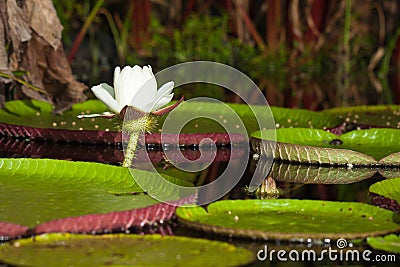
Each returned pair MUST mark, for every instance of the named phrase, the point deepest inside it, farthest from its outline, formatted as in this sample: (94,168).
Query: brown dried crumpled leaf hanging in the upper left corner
(32,30)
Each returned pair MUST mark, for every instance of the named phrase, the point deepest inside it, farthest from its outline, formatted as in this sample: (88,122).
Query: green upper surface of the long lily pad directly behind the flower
(21,112)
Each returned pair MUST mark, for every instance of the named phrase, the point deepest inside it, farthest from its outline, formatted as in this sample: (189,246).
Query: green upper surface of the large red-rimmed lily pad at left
(34,191)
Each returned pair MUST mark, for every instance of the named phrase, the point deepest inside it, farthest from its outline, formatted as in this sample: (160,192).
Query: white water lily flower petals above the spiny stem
(136,87)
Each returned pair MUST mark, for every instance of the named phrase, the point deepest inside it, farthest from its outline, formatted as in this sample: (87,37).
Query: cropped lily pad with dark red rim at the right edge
(386,194)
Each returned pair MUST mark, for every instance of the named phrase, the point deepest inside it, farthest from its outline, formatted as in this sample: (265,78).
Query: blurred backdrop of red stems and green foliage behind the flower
(281,65)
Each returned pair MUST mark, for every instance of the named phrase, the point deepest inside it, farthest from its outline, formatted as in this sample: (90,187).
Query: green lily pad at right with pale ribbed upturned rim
(376,143)
